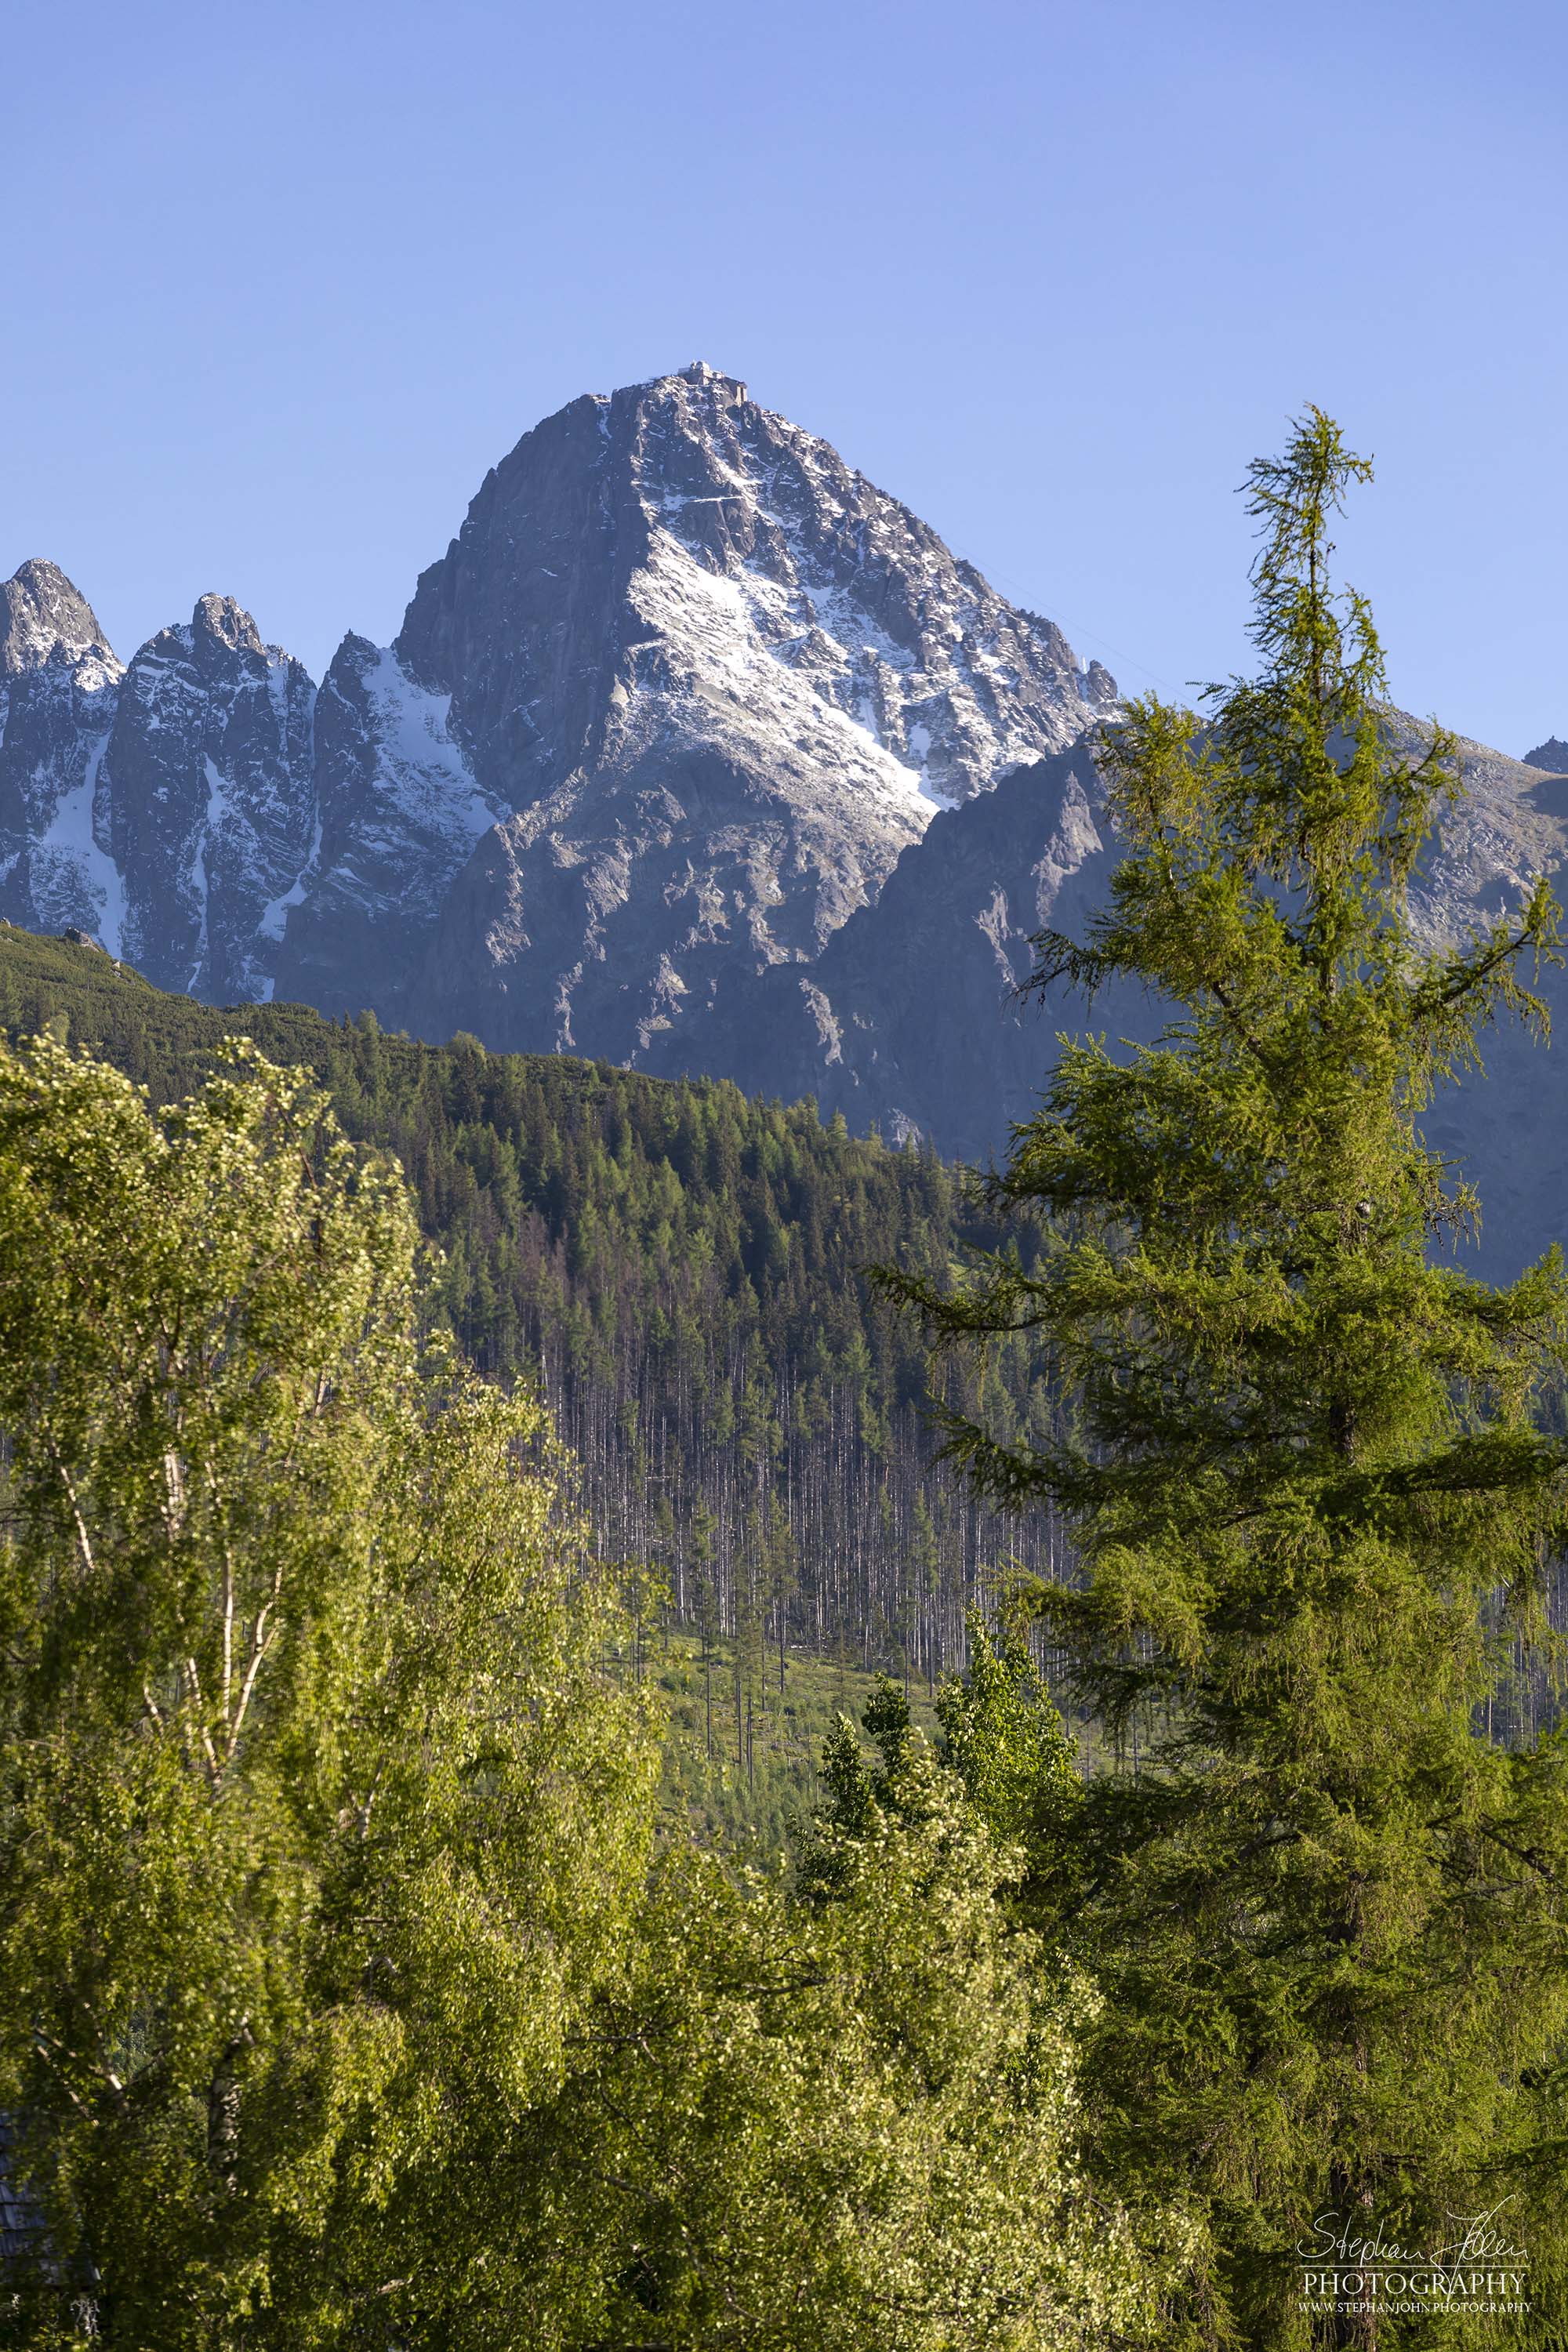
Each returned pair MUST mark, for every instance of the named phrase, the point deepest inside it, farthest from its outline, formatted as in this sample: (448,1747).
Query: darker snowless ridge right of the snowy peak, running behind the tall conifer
(911,1020)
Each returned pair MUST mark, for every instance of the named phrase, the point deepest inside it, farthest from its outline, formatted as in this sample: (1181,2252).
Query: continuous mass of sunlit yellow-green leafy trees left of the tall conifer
(347,1993)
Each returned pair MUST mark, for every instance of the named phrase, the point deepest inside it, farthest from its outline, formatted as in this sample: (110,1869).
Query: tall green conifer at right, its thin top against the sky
(1308,1488)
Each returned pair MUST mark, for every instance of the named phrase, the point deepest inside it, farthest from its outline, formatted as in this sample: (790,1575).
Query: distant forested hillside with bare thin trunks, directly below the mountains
(685,1269)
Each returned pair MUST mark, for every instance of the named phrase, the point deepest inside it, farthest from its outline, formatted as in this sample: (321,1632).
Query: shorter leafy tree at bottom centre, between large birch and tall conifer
(845,2120)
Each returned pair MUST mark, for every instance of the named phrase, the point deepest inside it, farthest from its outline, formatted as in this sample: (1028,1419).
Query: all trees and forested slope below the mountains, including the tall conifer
(1170,1942)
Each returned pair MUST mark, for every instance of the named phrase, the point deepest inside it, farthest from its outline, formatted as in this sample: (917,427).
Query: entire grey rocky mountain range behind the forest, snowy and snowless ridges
(695,751)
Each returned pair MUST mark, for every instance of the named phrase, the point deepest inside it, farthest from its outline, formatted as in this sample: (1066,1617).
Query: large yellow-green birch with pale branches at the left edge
(302,1732)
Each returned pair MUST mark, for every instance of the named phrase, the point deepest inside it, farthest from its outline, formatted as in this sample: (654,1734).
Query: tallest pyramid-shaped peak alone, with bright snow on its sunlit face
(723,683)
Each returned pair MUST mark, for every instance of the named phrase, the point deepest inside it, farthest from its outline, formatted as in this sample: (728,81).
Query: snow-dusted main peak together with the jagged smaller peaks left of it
(671,704)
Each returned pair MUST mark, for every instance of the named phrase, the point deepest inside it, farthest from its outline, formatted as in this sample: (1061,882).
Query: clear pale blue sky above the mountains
(283,281)
